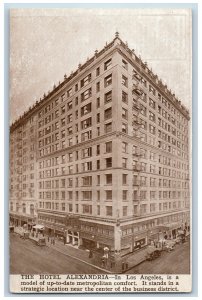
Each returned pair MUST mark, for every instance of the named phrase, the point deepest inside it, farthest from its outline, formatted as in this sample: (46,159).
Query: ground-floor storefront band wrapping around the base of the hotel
(122,237)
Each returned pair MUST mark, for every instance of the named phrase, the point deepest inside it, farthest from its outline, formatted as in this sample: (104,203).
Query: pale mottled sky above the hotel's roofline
(45,44)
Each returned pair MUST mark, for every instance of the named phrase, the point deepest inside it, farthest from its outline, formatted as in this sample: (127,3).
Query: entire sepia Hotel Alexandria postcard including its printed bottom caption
(100,150)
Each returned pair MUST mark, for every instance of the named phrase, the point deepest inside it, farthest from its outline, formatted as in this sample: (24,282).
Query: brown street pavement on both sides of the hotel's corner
(28,258)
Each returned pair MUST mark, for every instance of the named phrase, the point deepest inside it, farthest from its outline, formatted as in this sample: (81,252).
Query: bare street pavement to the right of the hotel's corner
(174,262)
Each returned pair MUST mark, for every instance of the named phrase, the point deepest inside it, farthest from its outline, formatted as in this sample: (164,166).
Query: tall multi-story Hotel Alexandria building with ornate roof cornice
(104,157)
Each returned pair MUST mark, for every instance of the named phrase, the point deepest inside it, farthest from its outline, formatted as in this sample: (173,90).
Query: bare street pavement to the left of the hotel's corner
(28,258)
